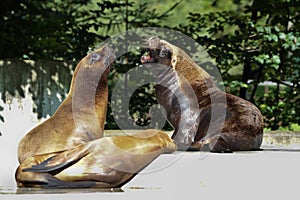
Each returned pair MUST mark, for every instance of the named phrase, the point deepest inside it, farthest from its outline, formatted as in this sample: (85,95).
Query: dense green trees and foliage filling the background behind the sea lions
(261,38)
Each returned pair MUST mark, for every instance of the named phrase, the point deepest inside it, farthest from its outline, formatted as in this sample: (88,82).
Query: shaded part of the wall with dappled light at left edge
(44,80)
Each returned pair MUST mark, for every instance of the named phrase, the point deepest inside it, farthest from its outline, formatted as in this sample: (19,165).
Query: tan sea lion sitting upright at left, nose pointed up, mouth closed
(81,116)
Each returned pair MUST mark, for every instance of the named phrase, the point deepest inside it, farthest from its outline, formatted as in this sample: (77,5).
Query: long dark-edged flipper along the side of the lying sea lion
(59,161)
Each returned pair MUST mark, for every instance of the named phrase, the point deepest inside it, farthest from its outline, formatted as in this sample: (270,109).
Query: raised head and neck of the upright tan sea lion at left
(90,93)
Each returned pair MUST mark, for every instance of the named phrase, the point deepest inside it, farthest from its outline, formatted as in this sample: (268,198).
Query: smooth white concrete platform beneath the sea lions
(264,174)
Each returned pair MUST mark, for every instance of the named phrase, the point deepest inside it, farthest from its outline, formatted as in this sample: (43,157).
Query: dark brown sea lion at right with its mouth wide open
(214,120)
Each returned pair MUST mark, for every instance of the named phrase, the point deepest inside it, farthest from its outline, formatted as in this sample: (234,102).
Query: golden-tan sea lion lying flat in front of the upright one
(102,163)
